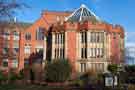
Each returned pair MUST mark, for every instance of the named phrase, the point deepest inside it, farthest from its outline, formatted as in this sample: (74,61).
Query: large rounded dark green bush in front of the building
(58,71)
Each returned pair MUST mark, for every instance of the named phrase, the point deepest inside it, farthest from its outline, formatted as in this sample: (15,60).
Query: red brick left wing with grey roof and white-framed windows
(10,45)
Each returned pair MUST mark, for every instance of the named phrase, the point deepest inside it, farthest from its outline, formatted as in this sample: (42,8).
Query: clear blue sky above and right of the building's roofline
(113,11)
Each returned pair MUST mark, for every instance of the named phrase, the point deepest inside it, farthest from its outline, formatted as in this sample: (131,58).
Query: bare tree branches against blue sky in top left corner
(8,8)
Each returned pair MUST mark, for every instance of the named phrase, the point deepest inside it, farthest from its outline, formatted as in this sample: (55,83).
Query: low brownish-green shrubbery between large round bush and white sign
(89,78)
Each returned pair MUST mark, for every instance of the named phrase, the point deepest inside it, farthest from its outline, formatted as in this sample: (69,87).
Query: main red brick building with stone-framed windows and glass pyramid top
(79,36)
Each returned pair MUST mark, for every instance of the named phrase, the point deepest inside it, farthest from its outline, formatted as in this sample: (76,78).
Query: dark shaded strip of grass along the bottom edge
(39,87)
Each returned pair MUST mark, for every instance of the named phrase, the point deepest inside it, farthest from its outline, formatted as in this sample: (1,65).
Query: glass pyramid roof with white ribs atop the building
(82,14)
